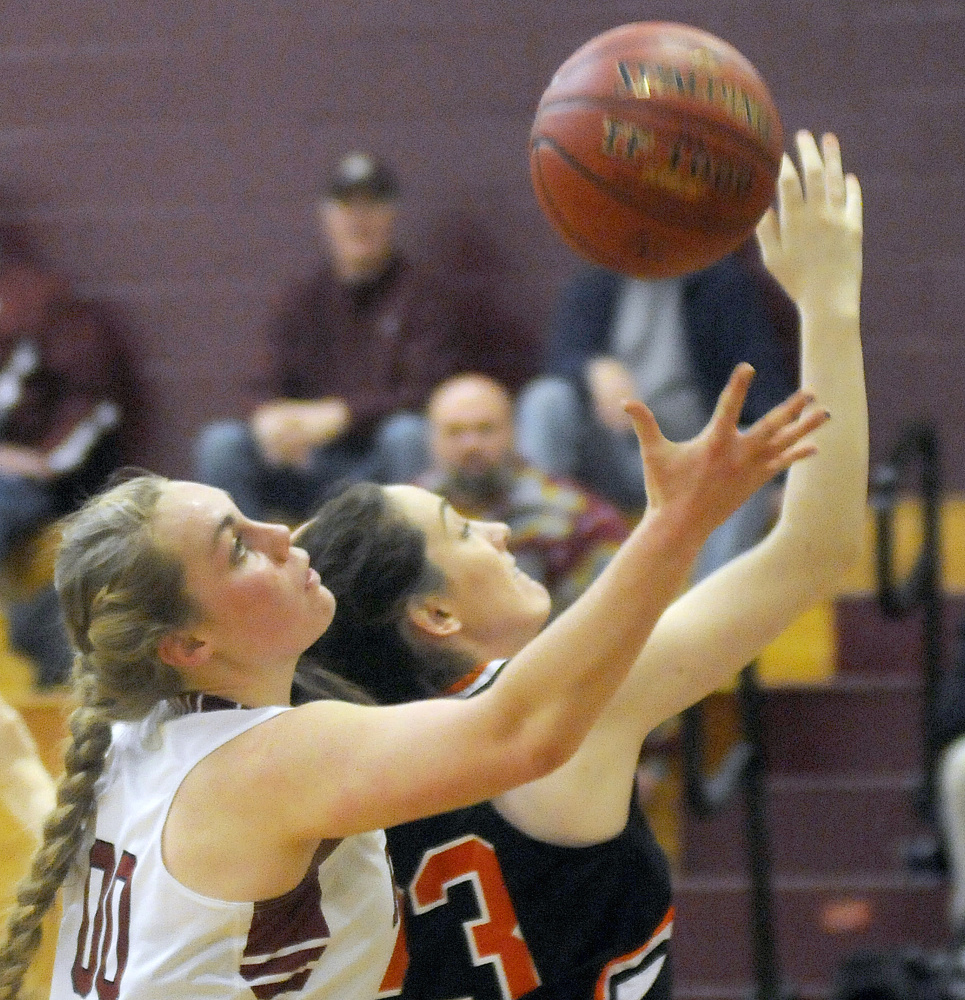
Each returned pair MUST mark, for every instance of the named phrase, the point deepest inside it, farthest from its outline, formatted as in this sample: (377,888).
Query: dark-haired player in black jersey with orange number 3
(557,889)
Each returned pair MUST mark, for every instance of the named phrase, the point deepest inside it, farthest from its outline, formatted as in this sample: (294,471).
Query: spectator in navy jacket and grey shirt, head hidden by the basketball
(672,343)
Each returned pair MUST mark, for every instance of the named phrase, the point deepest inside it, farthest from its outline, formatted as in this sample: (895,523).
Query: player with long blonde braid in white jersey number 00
(168,589)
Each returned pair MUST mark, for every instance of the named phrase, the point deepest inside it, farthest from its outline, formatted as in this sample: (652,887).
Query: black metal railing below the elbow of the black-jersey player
(742,770)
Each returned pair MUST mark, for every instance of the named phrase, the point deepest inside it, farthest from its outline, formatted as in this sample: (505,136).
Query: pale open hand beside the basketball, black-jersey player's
(811,242)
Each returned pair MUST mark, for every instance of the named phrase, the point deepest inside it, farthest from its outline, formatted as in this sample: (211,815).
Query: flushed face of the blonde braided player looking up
(260,601)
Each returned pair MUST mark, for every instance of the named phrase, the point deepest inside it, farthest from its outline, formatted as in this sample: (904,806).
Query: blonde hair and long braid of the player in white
(120,595)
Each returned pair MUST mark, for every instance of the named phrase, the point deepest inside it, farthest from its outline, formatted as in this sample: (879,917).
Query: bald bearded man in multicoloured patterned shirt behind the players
(561,535)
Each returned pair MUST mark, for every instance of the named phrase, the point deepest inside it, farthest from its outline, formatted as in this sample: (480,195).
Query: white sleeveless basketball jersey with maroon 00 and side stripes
(130,931)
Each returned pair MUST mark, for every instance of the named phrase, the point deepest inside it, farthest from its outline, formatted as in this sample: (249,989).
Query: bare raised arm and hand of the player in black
(812,244)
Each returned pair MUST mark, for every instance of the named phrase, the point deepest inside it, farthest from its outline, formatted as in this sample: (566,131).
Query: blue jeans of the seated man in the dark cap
(226,455)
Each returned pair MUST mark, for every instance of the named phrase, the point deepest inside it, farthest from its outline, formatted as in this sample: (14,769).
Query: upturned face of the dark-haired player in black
(499,607)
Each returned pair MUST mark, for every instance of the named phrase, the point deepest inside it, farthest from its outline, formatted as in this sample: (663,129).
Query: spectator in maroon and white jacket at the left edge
(69,416)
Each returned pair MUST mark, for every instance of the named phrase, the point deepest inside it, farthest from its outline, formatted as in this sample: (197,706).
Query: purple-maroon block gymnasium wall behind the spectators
(168,154)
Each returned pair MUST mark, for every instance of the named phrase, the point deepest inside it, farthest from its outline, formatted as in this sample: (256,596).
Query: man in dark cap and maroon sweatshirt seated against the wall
(356,351)
